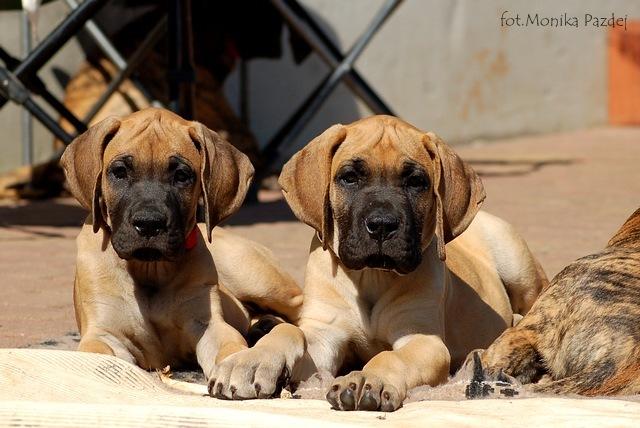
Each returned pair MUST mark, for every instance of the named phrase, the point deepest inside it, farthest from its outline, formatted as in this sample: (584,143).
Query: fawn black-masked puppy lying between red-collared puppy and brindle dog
(389,204)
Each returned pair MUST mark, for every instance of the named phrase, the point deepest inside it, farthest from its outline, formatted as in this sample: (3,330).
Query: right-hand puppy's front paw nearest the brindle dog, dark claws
(360,390)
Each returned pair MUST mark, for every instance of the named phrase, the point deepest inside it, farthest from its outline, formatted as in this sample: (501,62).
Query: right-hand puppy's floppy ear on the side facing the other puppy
(305,180)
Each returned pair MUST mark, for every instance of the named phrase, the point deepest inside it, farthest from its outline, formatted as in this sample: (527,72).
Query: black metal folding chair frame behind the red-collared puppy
(15,84)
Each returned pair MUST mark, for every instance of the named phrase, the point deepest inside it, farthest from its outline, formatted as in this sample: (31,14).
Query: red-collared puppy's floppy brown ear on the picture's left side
(82,164)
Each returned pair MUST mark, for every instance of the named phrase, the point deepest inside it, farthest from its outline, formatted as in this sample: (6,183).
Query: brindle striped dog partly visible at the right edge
(582,335)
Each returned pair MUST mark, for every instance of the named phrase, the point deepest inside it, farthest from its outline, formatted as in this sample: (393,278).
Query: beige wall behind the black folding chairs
(444,65)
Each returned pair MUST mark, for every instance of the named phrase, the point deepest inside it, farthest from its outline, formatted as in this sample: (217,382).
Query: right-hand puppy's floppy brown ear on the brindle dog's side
(458,192)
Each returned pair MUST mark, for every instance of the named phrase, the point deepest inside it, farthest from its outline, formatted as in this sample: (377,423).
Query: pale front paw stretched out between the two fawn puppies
(248,374)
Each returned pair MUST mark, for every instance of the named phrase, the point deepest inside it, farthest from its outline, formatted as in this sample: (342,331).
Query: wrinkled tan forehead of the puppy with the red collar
(153,140)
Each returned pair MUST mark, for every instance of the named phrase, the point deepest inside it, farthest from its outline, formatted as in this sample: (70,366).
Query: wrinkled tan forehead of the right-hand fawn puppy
(383,146)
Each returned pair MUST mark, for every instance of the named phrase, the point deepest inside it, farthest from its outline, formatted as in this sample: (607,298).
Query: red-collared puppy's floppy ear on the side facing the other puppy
(225,175)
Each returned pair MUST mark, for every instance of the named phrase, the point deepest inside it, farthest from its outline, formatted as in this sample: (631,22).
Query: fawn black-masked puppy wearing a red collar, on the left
(148,288)
